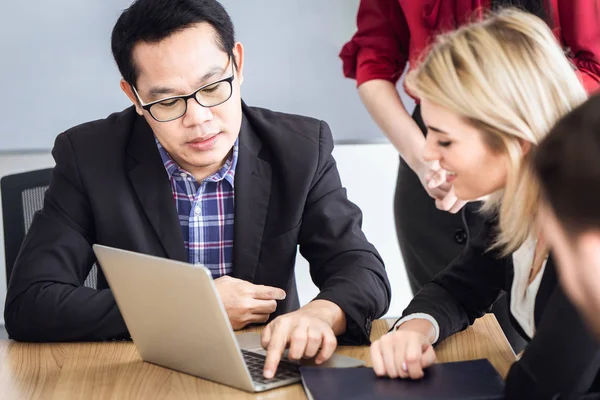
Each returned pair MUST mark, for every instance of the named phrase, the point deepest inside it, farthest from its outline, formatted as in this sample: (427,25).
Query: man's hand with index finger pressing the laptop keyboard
(311,331)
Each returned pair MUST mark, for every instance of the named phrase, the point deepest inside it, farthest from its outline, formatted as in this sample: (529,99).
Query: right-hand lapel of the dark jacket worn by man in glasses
(252,191)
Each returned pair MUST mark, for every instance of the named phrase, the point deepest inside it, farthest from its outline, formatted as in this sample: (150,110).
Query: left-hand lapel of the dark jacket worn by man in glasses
(151,184)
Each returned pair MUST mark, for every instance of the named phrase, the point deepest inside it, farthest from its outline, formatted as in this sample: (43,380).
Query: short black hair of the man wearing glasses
(154,20)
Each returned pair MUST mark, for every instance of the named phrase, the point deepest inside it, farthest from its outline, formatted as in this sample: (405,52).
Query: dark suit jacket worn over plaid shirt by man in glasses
(109,186)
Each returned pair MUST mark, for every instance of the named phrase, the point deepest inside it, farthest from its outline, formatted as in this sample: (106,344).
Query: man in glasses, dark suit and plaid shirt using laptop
(191,173)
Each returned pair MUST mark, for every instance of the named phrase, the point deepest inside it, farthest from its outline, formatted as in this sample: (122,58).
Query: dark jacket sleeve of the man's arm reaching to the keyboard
(343,264)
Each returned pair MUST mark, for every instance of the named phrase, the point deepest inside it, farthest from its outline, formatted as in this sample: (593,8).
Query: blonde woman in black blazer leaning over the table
(489,93)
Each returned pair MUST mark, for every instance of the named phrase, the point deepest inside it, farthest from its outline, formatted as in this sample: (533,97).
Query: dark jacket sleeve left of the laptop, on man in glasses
(46,299)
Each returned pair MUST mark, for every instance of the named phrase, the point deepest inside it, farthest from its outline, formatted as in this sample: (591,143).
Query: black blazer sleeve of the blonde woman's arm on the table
(465,290)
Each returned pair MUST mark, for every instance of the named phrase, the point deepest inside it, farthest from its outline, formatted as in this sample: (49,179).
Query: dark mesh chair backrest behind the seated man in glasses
(22,196)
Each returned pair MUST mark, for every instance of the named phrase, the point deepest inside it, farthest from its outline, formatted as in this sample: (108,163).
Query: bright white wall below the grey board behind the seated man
(367,171)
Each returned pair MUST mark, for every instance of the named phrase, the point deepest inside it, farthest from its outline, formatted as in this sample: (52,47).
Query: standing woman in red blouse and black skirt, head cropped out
(392,33)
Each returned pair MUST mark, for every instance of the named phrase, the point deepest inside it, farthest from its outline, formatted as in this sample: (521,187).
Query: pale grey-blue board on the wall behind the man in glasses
(57,71)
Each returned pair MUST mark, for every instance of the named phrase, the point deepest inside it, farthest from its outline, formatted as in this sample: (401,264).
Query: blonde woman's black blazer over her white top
(561,361)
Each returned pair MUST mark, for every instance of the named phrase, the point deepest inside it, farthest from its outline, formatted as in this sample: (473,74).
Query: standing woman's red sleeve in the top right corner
(580,31)
